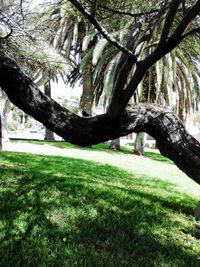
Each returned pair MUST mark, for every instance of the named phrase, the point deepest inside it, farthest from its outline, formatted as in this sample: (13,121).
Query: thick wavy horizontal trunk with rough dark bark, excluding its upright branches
(169,132)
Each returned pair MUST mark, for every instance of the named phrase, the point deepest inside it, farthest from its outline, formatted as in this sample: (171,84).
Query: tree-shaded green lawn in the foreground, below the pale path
(56,211)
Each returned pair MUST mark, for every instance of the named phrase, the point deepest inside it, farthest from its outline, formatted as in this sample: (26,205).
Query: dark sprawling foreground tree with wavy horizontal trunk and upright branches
(179,20)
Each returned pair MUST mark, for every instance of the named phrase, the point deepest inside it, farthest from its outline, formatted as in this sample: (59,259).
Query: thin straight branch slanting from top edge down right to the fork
(104,33)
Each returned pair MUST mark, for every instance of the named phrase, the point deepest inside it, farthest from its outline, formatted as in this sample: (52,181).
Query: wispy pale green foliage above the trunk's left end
(26,43)
